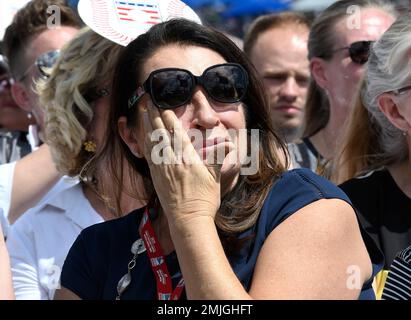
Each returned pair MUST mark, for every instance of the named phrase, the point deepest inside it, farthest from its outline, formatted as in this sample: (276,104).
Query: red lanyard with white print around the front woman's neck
(157,261)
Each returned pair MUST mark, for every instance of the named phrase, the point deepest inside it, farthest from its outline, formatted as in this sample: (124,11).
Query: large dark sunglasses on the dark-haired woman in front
(172,87)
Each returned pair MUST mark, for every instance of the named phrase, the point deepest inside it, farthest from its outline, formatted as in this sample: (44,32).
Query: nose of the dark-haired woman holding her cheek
(204,115)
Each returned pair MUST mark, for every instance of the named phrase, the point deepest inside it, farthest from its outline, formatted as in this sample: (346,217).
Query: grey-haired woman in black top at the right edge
(375,154)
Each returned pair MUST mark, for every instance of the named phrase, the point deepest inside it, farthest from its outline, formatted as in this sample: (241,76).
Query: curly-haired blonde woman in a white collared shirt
(75,97)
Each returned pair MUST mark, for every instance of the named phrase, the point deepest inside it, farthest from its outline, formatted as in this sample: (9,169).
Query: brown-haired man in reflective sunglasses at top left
(32,47)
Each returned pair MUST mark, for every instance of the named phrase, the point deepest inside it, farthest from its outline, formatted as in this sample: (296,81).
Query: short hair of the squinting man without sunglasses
(272,21)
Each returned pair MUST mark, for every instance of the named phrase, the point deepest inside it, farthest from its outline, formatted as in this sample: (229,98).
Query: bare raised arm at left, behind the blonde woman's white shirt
(33,176)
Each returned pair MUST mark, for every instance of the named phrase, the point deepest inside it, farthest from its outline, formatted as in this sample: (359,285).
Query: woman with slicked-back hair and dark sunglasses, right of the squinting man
(338,47)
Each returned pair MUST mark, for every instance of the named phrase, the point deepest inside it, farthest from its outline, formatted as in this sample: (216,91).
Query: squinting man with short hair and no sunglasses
(277,46)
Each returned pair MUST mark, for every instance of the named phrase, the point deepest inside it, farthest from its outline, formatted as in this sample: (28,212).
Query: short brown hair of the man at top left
(28,22)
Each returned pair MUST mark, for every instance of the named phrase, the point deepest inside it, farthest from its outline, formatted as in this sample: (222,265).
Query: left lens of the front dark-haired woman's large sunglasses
(172,88)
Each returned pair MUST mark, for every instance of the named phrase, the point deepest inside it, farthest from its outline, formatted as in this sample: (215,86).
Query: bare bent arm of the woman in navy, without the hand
(311,255)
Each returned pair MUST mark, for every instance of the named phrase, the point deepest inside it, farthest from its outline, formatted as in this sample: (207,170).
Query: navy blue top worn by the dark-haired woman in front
(101,253)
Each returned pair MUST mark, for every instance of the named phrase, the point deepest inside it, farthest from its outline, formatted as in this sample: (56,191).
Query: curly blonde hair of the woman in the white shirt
(84,67)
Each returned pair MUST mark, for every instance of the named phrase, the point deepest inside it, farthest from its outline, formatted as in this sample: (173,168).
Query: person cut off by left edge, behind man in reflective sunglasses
(14,122)
